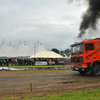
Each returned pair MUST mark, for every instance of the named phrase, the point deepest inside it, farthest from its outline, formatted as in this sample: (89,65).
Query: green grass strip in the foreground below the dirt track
(84,95)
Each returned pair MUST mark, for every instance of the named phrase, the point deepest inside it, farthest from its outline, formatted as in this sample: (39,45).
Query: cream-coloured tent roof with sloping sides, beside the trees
(46,54)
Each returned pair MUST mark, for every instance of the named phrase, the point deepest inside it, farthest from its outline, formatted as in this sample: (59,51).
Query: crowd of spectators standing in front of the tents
(24,61)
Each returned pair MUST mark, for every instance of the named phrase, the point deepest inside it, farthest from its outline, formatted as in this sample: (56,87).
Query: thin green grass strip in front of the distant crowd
(37,66)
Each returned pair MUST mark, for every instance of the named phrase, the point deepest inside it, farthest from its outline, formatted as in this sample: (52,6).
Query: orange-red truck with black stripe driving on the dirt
(85,56)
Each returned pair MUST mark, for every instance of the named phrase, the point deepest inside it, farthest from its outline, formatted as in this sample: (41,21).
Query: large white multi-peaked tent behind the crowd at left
(20,50)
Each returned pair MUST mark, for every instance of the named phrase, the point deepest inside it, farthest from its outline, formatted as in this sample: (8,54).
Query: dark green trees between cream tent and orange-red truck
(64,53)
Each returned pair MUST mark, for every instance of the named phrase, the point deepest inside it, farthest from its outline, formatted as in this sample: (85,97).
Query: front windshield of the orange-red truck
(77,49)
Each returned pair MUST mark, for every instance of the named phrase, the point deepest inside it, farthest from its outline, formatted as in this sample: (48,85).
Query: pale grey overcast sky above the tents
(55,23)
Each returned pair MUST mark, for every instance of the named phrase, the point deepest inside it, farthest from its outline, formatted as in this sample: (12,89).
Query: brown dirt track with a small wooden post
(44,82)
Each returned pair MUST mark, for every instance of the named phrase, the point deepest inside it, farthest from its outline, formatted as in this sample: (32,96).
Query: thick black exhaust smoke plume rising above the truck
(90,17)
